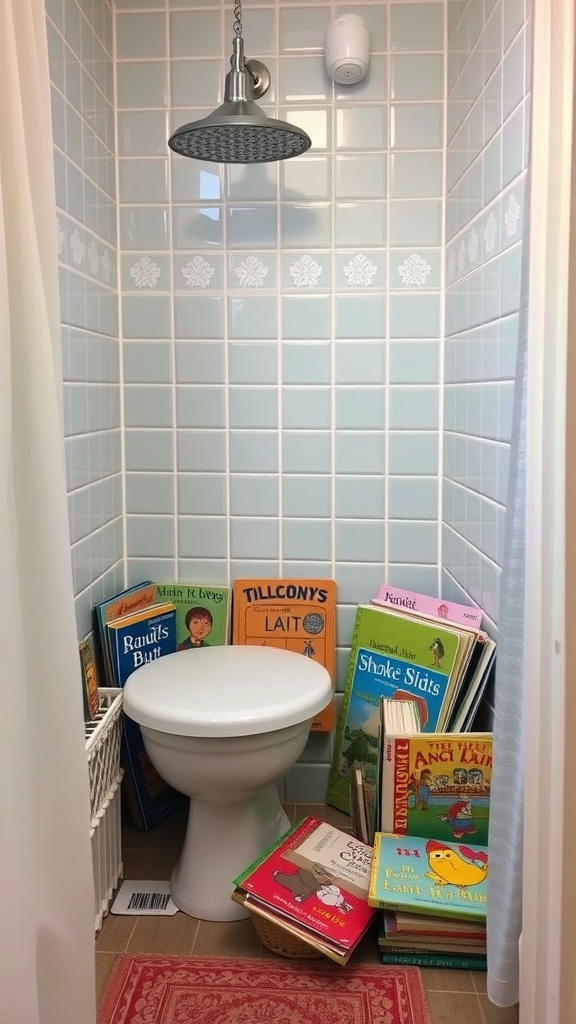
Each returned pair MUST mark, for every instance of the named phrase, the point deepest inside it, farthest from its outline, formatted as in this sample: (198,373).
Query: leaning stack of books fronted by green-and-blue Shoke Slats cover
(406,648)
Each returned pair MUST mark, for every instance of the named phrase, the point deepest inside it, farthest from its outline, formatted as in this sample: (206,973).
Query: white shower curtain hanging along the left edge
(47,920)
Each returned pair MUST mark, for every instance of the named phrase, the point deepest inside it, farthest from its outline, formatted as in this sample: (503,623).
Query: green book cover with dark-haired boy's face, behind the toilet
(203,613)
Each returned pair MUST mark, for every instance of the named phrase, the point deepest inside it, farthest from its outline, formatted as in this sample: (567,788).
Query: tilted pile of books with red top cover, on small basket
(314,883)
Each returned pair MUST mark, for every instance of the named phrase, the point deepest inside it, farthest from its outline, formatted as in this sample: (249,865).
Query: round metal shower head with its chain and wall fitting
(239,132)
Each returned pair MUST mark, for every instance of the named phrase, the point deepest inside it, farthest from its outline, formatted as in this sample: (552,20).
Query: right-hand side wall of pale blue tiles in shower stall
(487,156)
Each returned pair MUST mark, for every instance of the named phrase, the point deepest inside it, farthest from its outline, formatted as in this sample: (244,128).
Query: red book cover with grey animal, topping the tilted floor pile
(309,898)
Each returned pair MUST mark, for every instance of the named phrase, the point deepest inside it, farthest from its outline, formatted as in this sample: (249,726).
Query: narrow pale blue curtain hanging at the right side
(507,820)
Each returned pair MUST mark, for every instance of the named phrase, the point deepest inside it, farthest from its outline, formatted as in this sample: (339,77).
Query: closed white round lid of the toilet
(227,692)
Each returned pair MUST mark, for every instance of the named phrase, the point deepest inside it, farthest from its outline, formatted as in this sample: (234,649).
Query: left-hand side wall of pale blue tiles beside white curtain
(80,50)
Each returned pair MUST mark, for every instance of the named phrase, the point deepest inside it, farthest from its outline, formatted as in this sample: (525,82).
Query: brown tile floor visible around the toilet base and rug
(455,997)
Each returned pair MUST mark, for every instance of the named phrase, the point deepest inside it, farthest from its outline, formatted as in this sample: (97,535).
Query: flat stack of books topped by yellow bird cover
(432,899)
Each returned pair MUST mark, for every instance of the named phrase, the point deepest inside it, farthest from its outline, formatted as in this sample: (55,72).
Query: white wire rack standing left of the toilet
(103,751)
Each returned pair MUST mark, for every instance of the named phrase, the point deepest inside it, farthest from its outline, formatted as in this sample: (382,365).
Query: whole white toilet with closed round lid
(223,726)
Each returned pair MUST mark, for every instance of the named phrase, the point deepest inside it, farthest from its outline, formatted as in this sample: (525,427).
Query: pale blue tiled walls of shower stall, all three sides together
(287,402)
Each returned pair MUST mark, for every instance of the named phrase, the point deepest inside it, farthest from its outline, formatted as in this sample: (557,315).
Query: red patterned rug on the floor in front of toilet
(152,990)
